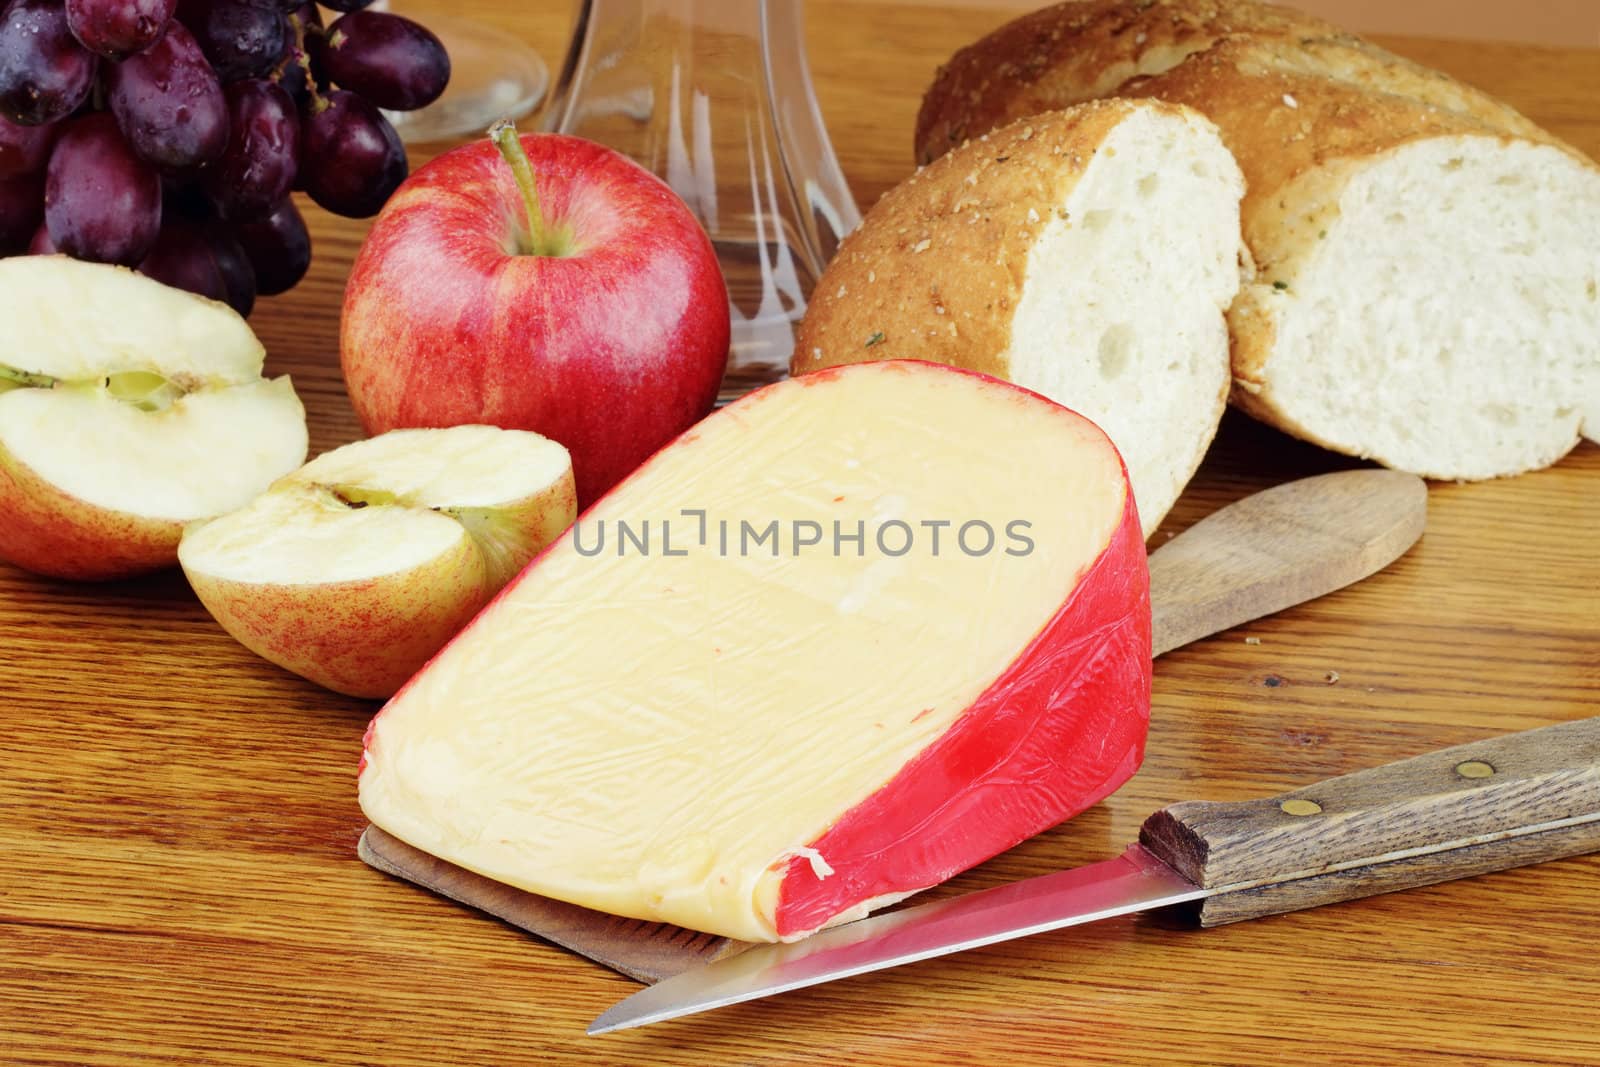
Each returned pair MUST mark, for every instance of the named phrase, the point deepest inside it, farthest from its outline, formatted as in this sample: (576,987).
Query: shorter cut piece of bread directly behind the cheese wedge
(1087,255)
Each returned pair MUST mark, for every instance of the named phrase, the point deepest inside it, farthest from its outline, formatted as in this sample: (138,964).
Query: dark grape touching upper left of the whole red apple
(351,156)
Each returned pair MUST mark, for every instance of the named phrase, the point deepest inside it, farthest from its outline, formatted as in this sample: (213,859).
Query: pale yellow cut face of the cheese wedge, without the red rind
(650,735)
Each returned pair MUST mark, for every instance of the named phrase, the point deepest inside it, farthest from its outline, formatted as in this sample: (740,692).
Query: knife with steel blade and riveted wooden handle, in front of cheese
(1455,813)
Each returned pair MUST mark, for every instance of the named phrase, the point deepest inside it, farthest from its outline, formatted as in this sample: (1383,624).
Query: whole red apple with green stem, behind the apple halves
(543,284)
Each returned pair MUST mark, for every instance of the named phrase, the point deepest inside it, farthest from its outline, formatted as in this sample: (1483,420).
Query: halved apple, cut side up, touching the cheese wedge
(354,570)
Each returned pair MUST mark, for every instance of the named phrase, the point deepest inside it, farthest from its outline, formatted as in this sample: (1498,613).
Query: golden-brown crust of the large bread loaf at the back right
(1302,105)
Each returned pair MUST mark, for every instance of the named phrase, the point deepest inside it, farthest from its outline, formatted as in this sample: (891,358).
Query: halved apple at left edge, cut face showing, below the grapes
(127,410)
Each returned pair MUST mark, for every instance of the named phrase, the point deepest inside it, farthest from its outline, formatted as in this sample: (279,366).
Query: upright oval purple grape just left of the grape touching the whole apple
(258,166)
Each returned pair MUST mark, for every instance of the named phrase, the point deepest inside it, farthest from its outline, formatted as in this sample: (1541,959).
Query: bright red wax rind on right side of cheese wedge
(1062,730)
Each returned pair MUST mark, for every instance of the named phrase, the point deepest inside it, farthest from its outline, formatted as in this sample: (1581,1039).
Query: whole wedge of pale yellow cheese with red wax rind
(839,642)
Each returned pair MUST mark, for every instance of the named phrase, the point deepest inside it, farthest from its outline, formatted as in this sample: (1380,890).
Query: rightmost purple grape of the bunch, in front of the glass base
(386,58)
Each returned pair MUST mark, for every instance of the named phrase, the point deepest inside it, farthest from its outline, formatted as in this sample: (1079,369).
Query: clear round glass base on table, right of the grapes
(492,76)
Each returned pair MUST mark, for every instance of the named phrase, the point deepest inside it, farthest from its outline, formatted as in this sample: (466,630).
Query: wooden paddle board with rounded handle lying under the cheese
(1263,554)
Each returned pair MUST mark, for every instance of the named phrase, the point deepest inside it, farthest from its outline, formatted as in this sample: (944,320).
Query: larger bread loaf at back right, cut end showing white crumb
(1428,258)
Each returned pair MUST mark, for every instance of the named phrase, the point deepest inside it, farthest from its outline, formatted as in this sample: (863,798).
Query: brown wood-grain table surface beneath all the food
(178,820)
